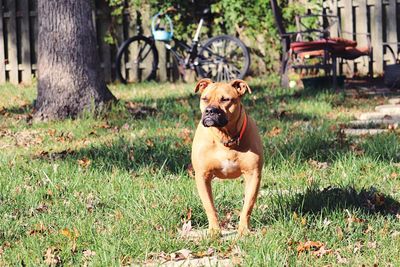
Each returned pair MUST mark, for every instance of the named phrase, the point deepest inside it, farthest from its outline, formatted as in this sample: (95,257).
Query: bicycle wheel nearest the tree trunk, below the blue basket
(137,60)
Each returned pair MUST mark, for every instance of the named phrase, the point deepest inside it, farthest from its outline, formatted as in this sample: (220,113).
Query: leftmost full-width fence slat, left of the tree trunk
(12,43)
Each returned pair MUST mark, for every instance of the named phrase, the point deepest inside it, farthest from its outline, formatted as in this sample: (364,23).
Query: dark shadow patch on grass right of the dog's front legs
(327,201)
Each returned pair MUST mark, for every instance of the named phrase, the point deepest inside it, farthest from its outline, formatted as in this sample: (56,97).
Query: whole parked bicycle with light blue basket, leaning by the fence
(219,58)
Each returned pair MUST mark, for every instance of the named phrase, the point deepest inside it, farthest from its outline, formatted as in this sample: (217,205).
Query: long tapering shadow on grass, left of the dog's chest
(156,154)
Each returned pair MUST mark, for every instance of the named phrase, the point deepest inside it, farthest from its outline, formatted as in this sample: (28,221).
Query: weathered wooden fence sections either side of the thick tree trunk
(18,41)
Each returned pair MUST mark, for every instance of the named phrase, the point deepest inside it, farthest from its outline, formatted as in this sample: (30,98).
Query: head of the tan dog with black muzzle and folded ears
(220,102)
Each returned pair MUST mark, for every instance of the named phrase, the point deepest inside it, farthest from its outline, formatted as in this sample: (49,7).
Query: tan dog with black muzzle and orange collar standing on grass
(226,145)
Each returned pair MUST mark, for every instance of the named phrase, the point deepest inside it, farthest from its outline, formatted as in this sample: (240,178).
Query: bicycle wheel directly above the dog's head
(223,58)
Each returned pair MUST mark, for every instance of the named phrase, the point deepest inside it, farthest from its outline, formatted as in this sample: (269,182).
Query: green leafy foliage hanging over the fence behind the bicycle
(252,21)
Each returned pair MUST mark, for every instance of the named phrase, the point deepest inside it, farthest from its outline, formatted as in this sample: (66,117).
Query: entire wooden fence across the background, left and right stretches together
(18,36)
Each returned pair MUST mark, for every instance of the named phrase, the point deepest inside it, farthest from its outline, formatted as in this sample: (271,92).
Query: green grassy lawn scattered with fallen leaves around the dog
(116,190)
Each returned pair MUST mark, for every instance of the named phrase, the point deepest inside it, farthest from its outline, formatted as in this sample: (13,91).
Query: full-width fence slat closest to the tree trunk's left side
(25,43)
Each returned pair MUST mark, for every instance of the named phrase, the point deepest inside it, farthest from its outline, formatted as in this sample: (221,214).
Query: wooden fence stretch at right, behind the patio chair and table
(380,19)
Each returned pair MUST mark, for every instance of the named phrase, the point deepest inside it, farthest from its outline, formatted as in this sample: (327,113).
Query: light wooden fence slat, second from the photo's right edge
(376,36)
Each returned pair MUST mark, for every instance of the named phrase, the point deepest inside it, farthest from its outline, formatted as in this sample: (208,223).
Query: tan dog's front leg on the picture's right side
(252,185)
